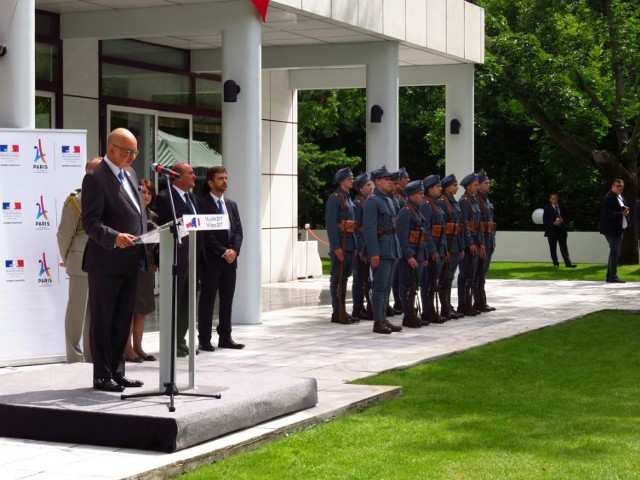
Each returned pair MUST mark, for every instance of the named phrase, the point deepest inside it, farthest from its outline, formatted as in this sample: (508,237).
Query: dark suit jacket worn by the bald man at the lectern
(108,210)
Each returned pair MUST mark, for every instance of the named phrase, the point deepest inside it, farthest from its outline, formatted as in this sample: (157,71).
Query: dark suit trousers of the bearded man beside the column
(216,277)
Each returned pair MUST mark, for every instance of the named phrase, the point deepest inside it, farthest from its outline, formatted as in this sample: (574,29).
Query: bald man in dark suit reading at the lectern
(112,216)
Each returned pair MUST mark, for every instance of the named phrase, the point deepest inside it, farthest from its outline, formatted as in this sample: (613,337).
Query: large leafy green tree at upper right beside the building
(573,68)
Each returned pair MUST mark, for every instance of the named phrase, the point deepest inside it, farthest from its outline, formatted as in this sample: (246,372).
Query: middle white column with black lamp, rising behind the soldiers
(382,90)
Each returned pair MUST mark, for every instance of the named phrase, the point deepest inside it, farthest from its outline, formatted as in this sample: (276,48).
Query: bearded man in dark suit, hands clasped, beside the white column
(218,272)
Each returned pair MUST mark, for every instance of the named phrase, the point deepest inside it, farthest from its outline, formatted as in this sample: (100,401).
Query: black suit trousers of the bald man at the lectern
(112,300)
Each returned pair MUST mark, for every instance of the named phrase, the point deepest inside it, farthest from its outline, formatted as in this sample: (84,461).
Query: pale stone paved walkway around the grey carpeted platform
(296,338)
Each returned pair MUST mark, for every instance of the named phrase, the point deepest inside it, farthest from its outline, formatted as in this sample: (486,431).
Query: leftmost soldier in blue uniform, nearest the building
(341,230)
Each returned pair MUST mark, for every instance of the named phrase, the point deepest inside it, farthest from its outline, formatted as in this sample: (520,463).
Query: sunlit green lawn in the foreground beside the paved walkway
(559,403)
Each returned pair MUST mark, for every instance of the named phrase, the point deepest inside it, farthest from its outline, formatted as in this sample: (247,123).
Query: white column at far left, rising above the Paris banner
(18,66)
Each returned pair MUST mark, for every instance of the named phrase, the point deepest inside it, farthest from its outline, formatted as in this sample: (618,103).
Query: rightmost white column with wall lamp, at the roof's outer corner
(459,105)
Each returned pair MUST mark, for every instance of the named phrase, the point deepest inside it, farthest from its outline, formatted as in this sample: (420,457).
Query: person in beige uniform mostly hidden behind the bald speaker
(71,242)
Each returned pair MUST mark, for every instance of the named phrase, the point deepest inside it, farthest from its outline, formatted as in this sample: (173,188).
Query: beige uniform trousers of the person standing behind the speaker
(77,320)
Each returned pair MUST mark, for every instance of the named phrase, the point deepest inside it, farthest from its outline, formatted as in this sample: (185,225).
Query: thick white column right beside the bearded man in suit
(241,150)
